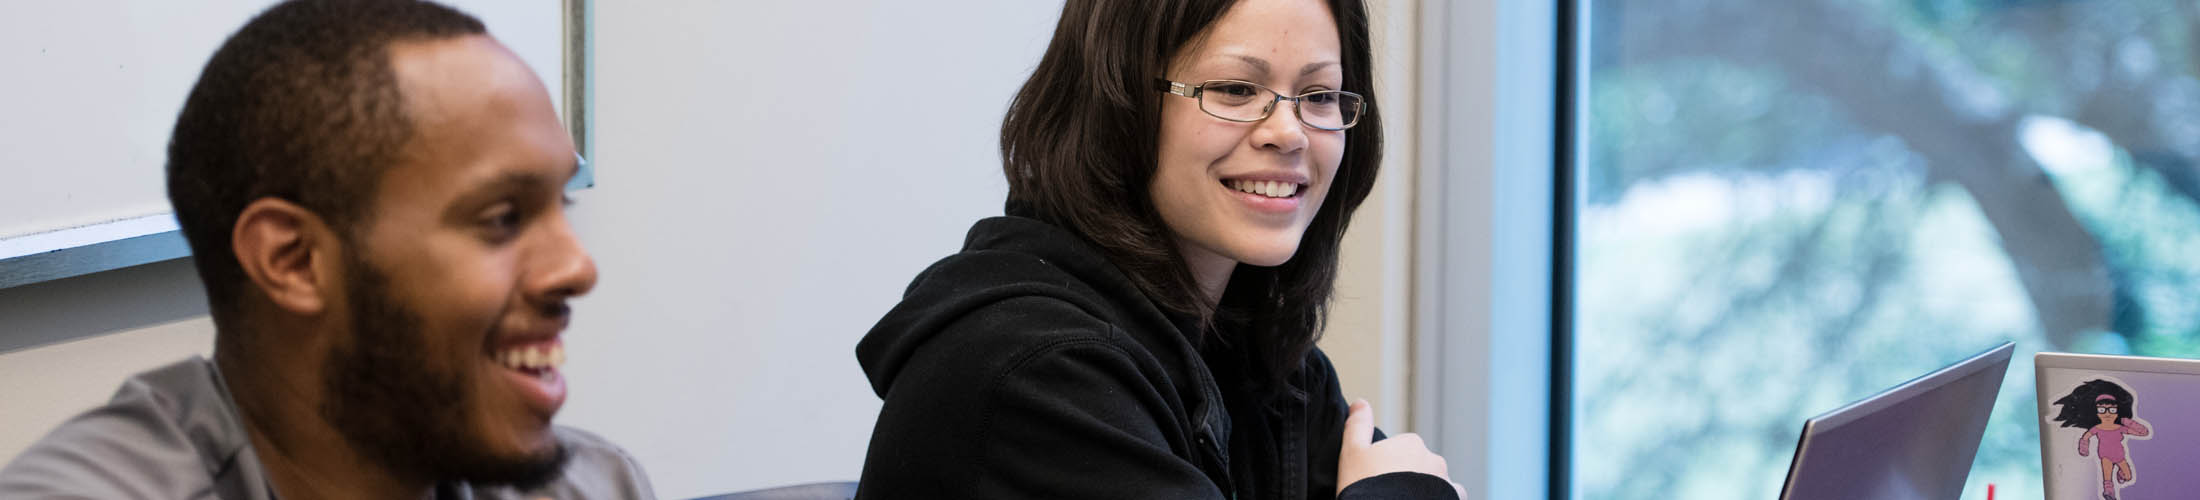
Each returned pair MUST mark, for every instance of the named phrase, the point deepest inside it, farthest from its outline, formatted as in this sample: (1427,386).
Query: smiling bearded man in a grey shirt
(375,199)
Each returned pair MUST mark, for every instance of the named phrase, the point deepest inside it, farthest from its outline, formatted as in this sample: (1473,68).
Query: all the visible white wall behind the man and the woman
(769,177)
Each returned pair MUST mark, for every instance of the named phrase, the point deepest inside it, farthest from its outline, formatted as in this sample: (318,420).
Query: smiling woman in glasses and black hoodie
(1143,320)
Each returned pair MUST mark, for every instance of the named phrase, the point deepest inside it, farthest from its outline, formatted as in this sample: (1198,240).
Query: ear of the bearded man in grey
(289,254)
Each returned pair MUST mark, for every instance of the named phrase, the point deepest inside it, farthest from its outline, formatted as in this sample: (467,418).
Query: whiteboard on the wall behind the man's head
(93,89)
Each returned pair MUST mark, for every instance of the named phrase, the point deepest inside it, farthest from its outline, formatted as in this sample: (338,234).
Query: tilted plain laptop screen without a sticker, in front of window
(1911,442)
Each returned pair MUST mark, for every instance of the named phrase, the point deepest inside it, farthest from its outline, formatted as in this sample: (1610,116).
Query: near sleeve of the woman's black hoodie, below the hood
(1050,409)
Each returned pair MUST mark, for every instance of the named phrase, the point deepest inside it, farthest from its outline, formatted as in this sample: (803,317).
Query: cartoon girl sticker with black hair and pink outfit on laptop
(2104,409)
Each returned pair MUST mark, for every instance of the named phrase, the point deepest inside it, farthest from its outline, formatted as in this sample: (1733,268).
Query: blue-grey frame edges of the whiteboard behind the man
(153,239)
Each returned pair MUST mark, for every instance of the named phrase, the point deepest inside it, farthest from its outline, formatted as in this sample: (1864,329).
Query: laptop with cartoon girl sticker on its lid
(2117,426)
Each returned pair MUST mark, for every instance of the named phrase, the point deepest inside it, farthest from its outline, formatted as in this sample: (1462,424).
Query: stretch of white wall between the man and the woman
(769,180)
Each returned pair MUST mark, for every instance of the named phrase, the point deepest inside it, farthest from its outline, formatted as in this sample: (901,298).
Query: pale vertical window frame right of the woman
(1490,316)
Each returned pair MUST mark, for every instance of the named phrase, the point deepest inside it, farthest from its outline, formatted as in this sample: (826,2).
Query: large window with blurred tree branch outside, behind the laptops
(1790,206)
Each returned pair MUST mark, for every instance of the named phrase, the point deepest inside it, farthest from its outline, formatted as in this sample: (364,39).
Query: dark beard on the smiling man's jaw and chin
(388,402)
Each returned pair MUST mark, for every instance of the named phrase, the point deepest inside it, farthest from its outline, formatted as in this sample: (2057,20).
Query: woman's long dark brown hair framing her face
(1081,149)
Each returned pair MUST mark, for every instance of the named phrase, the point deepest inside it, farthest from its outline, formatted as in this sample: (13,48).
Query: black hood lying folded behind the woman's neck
(1011,257)
